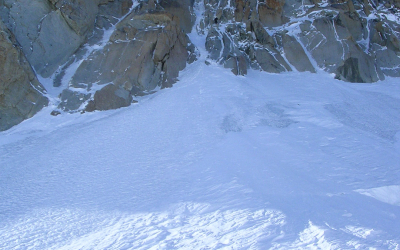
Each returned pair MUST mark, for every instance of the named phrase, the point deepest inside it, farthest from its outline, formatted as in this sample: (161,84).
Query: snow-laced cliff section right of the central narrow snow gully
(358,41)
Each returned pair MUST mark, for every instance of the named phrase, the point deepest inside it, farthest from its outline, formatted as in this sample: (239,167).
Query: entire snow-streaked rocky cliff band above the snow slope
(103,53)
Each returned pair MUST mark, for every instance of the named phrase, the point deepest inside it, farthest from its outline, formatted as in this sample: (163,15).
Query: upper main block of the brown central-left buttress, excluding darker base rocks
(139,50)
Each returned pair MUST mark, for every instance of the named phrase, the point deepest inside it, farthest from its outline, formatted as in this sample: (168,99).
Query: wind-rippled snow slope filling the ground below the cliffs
(289,161)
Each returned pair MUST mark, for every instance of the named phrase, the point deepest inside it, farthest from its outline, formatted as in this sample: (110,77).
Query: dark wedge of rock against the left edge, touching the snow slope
(21,95)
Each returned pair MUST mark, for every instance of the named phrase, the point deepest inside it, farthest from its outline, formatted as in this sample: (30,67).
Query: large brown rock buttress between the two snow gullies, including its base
(147,50)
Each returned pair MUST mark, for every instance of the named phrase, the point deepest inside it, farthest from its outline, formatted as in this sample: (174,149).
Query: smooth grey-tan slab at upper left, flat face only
(46,38)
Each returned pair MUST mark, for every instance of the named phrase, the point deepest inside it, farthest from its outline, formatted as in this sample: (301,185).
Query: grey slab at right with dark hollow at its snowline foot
(333,48)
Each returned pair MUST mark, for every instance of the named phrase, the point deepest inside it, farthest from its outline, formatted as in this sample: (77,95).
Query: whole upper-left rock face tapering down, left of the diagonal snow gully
(50,31)
